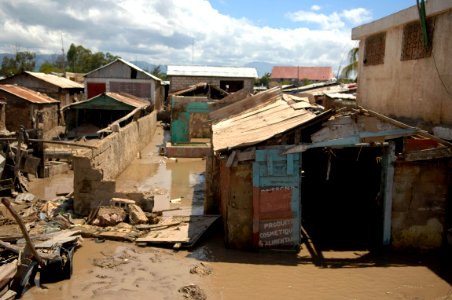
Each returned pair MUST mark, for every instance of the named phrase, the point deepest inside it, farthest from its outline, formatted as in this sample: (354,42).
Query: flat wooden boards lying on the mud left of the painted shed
(186,233)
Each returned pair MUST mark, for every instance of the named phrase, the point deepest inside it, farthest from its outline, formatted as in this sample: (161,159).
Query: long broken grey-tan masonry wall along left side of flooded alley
(95,170)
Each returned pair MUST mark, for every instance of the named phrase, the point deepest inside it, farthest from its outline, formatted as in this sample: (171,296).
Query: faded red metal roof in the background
(310,73)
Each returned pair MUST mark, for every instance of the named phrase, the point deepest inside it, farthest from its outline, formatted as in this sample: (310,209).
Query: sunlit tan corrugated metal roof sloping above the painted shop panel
(258,124)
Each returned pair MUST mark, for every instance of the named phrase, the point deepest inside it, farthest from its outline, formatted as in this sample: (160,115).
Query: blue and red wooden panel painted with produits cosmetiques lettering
(276,199)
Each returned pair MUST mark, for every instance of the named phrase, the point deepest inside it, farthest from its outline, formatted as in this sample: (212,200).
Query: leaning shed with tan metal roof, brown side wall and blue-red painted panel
(257,186)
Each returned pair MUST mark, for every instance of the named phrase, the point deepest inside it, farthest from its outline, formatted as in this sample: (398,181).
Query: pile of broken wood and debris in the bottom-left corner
(22,257)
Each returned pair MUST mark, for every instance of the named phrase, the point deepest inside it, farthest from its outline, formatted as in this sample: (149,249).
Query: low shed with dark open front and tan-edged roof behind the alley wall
(86,118)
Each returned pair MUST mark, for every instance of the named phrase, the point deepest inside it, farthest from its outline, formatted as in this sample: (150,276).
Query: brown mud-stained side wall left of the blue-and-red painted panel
(236,186)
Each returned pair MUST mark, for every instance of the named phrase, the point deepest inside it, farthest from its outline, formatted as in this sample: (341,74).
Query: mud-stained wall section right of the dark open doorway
(420,196)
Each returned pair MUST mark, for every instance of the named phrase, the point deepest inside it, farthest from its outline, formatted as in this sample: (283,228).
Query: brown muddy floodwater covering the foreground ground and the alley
(115,270)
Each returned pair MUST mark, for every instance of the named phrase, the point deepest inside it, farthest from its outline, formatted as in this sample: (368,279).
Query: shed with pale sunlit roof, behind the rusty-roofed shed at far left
(60,88)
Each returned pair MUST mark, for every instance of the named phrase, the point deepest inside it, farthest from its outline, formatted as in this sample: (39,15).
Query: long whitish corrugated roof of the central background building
(239,72)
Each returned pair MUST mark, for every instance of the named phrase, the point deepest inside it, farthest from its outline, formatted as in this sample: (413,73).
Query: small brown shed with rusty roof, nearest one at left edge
(25,107)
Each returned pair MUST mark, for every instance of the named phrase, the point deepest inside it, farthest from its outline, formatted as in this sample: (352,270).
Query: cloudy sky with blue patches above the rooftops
(201,32)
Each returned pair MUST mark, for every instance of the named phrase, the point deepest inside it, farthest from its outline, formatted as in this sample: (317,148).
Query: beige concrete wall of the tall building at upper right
(415,88)
